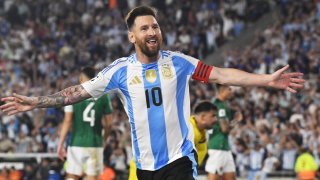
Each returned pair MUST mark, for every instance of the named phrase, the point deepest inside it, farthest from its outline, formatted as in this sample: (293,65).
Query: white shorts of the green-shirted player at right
(220,162)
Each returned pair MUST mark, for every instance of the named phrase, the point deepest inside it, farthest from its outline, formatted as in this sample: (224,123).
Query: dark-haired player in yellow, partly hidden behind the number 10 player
(204,117)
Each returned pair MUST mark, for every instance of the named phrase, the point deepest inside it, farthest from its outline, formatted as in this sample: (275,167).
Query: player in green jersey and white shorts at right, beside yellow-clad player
(220,161)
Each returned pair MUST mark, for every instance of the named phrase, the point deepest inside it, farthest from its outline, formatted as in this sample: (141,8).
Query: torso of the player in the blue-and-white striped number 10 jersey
(154,96)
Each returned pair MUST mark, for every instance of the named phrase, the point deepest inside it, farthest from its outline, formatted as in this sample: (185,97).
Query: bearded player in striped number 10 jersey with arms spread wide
(153,86)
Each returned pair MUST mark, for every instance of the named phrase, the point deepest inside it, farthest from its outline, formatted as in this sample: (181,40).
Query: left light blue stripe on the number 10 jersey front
(121,76)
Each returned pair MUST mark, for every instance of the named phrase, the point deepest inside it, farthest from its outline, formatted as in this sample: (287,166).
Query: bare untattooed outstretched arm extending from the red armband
(280,80)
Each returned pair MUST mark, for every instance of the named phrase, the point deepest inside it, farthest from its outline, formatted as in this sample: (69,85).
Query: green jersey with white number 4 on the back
(87,121)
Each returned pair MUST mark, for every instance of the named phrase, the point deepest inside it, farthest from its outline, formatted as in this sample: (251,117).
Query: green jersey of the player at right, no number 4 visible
(217,139)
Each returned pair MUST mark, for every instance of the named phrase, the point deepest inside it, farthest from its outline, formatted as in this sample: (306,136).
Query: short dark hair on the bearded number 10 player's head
(139,11)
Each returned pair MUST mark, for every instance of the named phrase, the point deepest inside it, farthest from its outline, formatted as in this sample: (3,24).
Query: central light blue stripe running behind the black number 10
(156,119)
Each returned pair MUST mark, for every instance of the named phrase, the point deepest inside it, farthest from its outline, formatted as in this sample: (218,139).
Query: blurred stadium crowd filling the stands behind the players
(44,43)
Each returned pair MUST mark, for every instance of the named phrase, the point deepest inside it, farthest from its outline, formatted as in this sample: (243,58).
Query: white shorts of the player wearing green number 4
(88,160)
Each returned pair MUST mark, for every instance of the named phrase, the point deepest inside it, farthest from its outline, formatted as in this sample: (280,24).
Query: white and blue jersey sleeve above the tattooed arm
(106,79)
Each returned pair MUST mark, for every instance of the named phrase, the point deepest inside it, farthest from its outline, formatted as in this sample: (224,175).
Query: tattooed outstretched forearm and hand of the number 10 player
(18,103)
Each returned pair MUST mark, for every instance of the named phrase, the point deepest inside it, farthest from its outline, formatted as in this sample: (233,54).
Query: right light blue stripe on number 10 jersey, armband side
(183,69)
